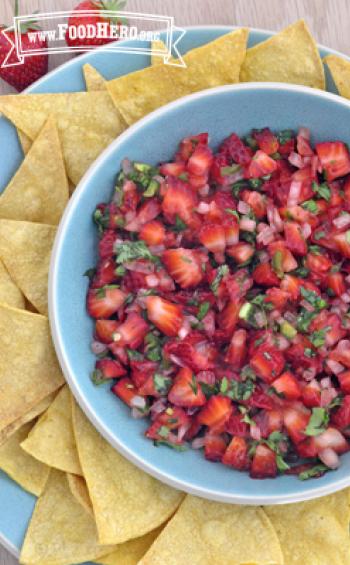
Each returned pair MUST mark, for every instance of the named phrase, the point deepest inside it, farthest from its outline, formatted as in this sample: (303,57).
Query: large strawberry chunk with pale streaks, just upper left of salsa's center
(184,266)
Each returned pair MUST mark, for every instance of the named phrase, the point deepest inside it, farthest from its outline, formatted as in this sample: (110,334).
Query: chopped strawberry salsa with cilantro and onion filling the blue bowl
(221,300)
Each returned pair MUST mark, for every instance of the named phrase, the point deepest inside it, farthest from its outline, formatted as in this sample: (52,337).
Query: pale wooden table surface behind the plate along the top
(328,20)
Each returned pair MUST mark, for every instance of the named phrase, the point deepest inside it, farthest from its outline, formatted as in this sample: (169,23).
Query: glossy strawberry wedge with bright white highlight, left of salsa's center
(165,315)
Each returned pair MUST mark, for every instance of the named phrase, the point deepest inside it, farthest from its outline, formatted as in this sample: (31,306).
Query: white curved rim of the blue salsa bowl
(132,456)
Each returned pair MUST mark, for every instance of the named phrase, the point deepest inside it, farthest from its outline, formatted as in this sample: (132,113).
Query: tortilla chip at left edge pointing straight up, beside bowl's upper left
(39,190)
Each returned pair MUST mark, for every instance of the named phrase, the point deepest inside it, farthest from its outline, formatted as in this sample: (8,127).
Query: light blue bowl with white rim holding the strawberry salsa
(219,111)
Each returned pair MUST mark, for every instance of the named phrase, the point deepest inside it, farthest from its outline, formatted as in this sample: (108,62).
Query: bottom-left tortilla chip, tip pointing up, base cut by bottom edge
(60,531)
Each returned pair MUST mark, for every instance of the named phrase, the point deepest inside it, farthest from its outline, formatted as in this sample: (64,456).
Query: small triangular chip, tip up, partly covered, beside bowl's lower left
(51,441)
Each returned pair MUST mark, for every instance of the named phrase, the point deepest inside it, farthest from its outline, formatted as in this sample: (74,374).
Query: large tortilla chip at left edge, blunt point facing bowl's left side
(29,370)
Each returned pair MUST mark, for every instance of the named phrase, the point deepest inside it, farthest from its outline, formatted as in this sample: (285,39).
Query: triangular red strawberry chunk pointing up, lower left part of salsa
(186,391)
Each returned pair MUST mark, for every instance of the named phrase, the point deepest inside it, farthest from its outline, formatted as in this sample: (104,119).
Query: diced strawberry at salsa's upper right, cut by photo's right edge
(334,158)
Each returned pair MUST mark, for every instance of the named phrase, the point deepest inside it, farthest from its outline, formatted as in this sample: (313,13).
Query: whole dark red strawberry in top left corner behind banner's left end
(33,66)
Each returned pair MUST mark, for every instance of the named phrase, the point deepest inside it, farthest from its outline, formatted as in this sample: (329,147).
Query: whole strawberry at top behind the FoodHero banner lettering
(77,21)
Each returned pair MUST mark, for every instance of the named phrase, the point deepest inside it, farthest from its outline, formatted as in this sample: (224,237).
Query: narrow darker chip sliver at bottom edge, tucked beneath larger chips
(130,552)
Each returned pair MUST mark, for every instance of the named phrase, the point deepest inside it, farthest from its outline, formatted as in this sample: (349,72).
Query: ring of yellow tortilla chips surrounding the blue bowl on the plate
(92,503)
